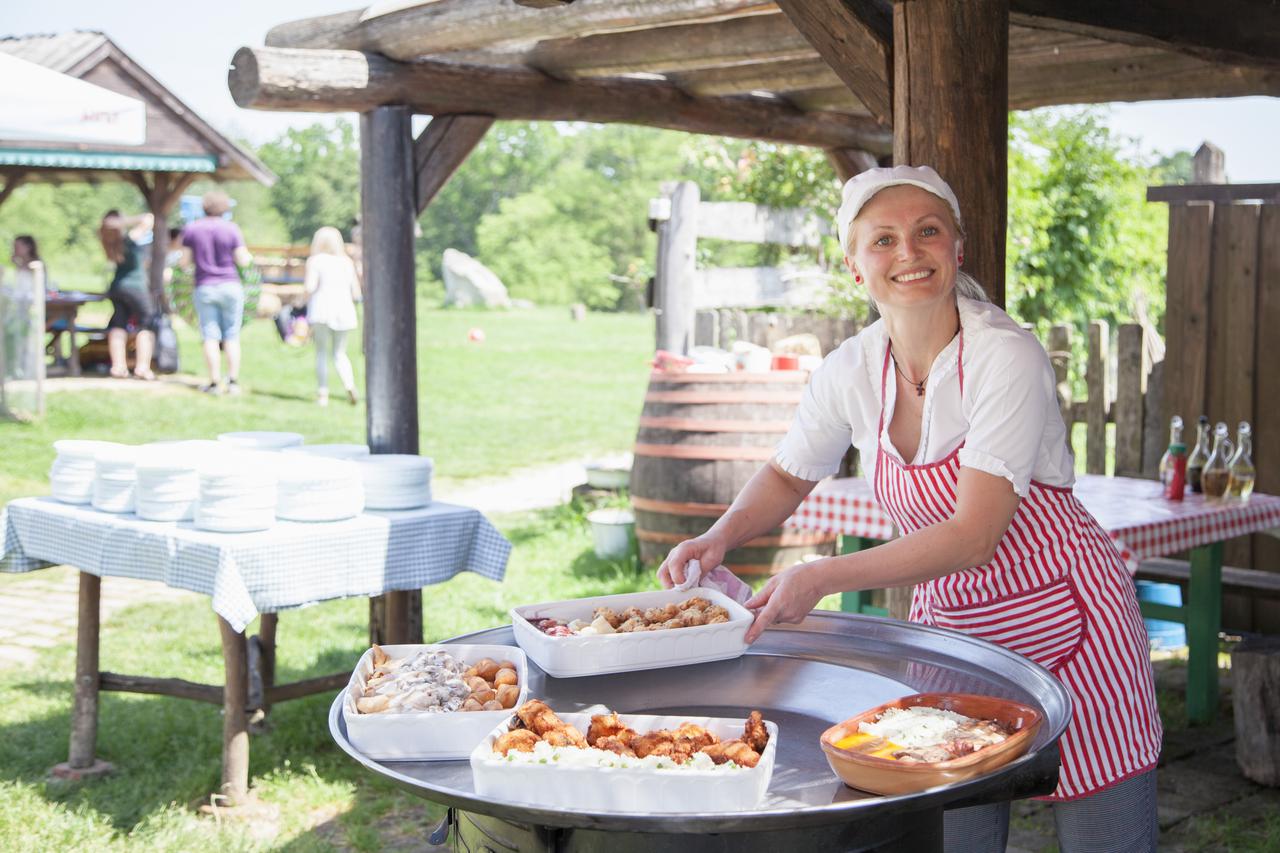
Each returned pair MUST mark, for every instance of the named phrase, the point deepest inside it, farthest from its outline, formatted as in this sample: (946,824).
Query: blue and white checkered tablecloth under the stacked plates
(246,574)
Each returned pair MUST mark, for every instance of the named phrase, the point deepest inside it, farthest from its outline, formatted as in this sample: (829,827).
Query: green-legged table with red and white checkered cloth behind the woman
(1141,524)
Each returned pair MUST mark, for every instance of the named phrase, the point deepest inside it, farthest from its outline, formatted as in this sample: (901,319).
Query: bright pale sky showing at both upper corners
(189,47)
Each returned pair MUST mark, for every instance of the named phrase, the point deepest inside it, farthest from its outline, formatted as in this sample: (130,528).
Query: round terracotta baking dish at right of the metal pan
(892,777)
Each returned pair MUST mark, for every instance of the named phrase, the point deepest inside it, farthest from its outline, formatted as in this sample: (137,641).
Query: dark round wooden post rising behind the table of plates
(388,213)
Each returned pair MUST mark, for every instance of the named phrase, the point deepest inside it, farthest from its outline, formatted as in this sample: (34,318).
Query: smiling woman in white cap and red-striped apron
(953,409)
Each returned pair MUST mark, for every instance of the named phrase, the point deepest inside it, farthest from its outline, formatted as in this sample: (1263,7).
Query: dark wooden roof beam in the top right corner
(1236,33)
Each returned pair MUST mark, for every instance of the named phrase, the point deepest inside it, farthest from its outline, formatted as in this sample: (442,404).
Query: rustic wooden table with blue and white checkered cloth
(245,576)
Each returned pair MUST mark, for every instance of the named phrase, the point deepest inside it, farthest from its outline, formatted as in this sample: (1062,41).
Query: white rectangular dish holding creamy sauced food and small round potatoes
(427,737)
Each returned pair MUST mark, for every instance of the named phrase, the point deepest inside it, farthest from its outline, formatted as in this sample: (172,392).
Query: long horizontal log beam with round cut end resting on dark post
(336,81)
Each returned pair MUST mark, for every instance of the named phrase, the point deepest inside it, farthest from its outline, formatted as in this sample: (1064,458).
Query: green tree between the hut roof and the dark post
(319,179)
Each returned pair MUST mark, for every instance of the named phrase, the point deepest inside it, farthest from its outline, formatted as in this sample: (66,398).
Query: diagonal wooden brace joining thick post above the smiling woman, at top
(856,38)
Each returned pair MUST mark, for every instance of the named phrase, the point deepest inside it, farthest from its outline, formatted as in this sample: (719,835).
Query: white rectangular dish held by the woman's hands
(596,655)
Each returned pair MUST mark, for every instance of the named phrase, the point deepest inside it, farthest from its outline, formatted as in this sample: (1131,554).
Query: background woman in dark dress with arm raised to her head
(130,294)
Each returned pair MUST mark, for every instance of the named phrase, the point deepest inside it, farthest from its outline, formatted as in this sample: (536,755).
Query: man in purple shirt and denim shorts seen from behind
(217,249)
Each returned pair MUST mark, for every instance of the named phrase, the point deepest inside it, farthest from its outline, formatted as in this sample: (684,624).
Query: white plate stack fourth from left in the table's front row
(237,494)
